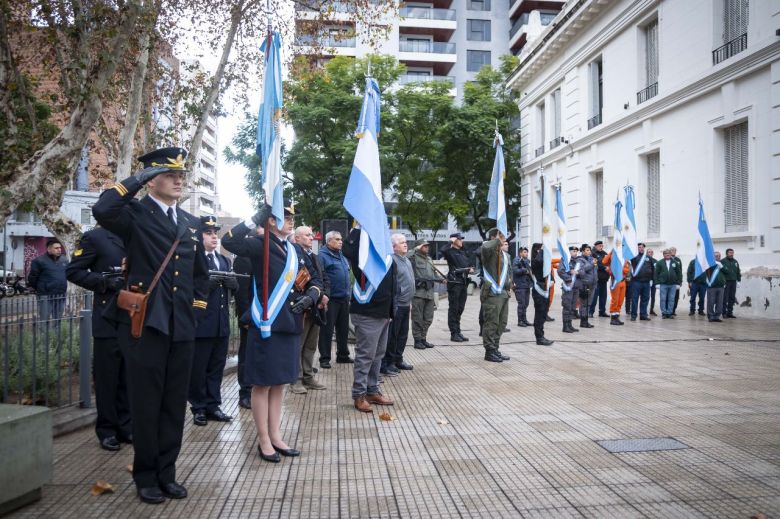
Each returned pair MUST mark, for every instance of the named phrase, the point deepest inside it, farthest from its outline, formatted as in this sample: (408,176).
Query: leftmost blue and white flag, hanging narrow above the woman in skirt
(269,139)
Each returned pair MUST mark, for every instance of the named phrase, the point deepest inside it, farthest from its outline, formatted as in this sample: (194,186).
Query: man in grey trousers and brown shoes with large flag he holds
(369,252)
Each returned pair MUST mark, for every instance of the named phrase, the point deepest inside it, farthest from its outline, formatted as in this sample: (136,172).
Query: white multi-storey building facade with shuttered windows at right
(677,98)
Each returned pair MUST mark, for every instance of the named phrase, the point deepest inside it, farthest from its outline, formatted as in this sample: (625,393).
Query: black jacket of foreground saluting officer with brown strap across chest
(148,235)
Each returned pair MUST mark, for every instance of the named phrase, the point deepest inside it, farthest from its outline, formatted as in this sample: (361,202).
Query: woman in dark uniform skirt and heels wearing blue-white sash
(274,345)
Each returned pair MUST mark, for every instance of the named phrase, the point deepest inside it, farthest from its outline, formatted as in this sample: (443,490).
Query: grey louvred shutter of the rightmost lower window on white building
(736,181)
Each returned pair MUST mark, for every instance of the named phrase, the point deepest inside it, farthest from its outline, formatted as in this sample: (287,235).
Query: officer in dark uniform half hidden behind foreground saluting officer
(96,265)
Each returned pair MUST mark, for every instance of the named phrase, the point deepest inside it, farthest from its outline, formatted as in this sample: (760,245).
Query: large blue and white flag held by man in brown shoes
(363,199)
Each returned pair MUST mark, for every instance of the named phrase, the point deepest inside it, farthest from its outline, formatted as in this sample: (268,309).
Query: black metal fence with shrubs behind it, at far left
(46,349)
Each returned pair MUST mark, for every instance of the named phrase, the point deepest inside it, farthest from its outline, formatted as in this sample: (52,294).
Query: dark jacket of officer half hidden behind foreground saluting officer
(99,250)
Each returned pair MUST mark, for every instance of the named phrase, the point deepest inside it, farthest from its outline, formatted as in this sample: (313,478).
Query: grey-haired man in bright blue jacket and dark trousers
(336,269)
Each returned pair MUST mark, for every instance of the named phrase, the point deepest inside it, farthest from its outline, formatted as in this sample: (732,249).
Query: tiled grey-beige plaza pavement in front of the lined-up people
(477,439)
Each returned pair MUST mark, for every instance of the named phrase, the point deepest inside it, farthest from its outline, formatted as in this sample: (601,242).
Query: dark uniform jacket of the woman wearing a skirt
(236,242)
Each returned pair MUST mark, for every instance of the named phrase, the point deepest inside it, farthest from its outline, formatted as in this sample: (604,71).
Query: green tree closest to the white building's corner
(468,148)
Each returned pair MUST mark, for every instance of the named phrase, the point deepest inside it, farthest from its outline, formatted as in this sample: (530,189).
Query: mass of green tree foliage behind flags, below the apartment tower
(436,156)
